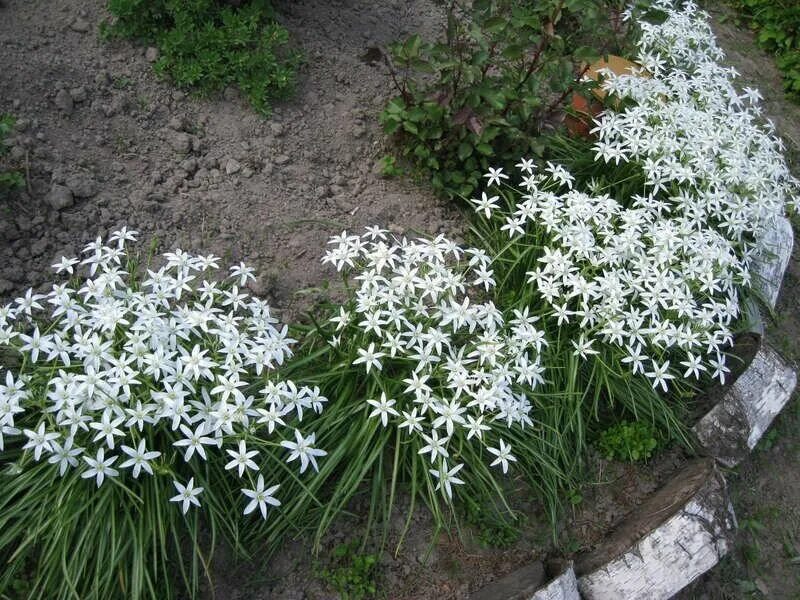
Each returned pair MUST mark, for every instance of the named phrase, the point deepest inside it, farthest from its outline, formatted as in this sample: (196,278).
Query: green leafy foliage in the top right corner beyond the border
(777,28)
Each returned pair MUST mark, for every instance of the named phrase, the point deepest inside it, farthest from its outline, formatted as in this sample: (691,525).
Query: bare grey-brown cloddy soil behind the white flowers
(202,174)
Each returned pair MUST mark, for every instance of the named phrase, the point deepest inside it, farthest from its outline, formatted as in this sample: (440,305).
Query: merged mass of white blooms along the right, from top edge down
(658,274)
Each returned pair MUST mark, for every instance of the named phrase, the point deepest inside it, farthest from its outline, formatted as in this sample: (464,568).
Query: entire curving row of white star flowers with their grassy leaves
(609,287)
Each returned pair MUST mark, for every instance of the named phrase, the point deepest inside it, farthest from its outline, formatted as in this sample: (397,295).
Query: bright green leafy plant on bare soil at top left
(207,45)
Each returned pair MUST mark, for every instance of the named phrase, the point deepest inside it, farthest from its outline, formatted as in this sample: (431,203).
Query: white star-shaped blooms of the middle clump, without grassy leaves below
(452,370)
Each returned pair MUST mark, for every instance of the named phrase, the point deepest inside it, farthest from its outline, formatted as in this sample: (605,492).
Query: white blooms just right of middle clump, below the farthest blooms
(631,278)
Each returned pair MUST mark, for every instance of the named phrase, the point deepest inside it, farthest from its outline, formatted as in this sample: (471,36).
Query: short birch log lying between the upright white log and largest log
(733,427)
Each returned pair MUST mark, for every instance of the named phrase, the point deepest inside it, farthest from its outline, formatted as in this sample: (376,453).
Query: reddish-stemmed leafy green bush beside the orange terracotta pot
(482,95)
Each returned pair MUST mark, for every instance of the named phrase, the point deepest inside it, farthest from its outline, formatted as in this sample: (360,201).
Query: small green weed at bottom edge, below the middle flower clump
(351,574)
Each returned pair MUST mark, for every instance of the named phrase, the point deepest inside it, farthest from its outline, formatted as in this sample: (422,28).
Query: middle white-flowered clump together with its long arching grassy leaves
(433,384)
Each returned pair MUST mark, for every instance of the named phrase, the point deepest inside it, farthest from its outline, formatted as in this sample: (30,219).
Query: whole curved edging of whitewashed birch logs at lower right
(685,527)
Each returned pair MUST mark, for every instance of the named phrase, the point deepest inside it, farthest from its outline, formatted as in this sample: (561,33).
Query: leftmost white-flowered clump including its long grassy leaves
(135,403)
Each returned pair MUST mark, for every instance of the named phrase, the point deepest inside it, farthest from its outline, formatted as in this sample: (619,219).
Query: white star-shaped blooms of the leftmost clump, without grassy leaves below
(119,377)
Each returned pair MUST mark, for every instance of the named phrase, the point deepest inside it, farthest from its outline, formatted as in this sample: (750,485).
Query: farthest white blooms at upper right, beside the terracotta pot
(707,153)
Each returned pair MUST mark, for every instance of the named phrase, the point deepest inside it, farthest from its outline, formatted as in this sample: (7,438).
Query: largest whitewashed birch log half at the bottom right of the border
(676,535)
